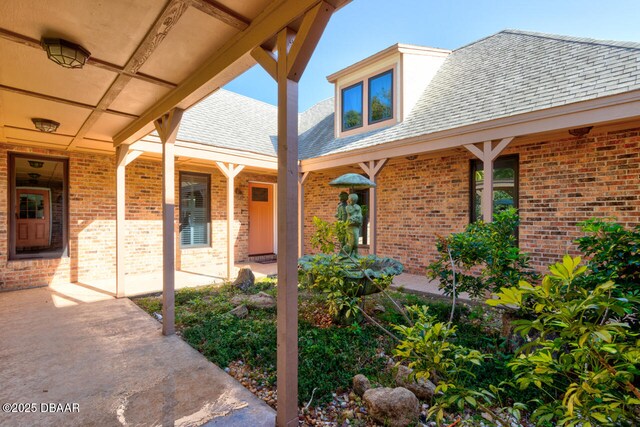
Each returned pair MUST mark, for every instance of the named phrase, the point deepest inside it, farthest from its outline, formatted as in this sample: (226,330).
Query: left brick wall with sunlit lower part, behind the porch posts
(92,222)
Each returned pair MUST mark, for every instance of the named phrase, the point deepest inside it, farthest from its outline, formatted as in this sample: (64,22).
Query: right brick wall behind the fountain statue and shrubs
(562,182)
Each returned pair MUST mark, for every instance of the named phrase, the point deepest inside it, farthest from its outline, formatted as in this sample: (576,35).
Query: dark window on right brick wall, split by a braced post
(505,185)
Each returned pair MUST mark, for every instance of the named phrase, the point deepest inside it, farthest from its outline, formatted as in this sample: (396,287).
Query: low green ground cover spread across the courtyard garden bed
(329,355)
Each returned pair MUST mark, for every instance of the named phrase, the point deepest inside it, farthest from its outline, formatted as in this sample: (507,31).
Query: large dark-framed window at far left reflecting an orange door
(38,207)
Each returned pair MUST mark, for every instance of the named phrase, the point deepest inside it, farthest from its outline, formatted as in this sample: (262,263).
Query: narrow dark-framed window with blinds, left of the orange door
(195,217)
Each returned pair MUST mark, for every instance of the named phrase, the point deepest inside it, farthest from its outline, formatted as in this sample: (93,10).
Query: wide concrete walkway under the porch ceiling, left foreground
(107,359)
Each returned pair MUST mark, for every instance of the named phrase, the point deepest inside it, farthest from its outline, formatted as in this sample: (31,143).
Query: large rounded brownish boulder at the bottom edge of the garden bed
(396,407)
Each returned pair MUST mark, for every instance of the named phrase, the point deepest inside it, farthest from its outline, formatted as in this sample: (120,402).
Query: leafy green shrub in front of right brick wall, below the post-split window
(486,257)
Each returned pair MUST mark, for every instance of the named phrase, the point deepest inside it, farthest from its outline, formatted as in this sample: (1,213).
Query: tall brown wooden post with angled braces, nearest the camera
(294,51)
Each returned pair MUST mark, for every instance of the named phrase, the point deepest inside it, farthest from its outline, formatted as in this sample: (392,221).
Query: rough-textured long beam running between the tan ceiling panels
(165,22)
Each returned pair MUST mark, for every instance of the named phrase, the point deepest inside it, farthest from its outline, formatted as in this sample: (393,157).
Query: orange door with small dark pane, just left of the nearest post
(260,219)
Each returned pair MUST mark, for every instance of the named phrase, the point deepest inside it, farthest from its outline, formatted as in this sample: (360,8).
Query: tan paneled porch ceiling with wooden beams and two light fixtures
(147,57)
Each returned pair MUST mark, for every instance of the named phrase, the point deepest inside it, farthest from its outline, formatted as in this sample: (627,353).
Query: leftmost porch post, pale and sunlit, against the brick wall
(121,163)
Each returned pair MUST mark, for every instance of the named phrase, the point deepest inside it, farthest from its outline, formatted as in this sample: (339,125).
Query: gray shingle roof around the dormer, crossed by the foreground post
(509,73)
